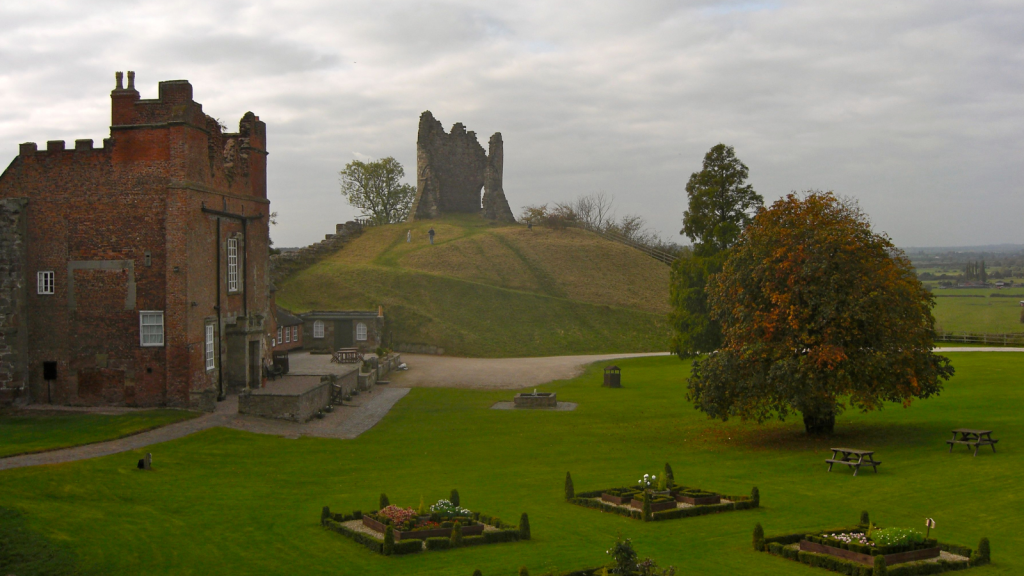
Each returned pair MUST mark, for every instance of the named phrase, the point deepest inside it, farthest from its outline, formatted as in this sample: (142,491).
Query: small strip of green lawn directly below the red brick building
(25,432)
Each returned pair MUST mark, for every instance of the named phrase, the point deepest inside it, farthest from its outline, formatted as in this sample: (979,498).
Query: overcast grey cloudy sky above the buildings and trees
(914,108)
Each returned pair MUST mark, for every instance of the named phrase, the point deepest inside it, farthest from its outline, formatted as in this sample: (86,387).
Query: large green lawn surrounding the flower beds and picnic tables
(230,503)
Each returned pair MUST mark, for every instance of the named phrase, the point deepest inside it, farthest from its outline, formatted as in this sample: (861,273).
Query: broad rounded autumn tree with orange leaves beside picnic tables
(819,314)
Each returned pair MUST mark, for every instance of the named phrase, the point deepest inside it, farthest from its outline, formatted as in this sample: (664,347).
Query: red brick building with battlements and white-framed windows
(145,261)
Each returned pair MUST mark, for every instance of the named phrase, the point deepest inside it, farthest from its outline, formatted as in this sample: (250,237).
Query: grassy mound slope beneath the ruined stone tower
(489,291)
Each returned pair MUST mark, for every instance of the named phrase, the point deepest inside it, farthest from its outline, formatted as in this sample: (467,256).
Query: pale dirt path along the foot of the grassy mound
(494,374)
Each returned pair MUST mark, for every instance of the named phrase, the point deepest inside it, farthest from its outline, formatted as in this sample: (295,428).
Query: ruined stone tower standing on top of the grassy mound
(451,170)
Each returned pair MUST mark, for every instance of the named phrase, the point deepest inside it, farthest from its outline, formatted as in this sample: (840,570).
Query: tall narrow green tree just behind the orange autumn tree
(720,207)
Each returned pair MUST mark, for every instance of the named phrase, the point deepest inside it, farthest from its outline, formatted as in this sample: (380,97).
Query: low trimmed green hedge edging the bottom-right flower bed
(777,546)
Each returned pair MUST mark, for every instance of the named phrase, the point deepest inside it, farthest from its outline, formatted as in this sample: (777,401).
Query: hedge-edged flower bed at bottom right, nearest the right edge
(855,552)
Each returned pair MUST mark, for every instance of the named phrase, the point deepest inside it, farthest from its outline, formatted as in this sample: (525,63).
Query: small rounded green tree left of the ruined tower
(376,188)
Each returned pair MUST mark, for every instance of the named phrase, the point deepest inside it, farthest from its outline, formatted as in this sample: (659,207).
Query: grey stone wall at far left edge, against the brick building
(13,290)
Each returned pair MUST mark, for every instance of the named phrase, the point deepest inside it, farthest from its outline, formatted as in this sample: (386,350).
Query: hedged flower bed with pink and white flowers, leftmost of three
(415,533)
